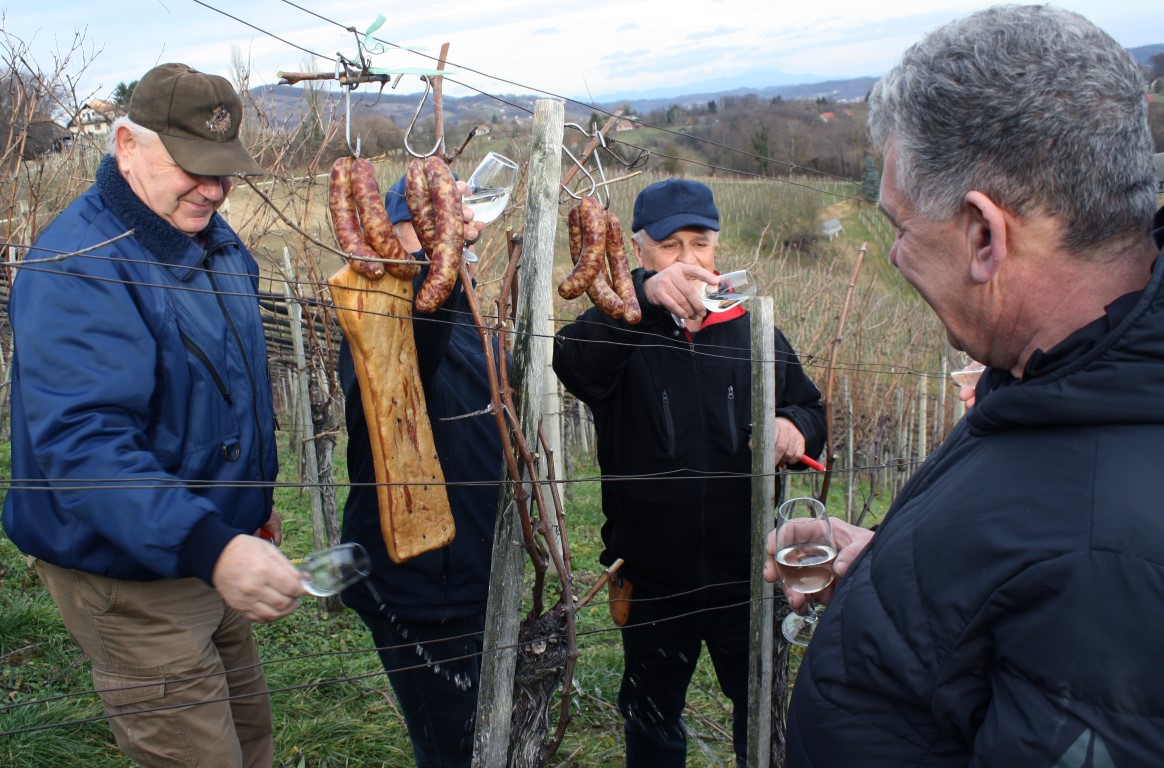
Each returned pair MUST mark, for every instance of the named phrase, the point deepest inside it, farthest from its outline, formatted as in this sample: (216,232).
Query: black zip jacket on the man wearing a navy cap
(672,417)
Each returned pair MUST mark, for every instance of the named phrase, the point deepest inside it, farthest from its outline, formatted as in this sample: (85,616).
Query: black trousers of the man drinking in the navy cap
(662,645)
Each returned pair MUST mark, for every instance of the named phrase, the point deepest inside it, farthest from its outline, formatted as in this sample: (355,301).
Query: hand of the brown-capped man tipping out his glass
(257,580)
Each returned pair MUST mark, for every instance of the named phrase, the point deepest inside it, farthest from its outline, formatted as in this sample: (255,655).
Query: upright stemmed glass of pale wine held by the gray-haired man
(805,552)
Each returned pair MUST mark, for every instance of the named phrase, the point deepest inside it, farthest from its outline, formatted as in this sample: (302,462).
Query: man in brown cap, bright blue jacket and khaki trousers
(143,433)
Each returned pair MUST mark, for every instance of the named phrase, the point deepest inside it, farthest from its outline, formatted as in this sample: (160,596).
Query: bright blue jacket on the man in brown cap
(143,429)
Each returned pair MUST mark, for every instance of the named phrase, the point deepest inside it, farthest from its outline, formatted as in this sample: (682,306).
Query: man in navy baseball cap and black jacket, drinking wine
(670,399)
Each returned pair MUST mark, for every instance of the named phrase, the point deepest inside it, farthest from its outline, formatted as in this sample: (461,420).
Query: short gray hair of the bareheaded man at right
(1035,108)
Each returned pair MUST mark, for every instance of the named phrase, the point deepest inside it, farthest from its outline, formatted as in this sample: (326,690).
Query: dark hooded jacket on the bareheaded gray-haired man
(1009,611)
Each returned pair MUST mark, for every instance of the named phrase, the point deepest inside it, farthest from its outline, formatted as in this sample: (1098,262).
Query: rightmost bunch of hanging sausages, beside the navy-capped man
(597,245)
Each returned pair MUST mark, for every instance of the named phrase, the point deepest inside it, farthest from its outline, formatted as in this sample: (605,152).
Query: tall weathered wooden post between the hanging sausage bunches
(495,703)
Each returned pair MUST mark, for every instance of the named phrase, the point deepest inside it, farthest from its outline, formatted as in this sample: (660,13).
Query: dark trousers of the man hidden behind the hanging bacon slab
(435,669)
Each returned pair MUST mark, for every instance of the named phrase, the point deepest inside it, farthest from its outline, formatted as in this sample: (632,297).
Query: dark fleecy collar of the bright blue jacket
(166,243)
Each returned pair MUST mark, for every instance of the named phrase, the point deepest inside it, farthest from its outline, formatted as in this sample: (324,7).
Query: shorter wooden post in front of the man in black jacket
(761,723)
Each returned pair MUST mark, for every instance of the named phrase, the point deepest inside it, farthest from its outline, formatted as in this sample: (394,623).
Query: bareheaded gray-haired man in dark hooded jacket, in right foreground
(1007,613)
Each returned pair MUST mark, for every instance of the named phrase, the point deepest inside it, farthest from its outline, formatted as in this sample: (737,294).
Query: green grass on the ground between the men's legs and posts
(332,703)
